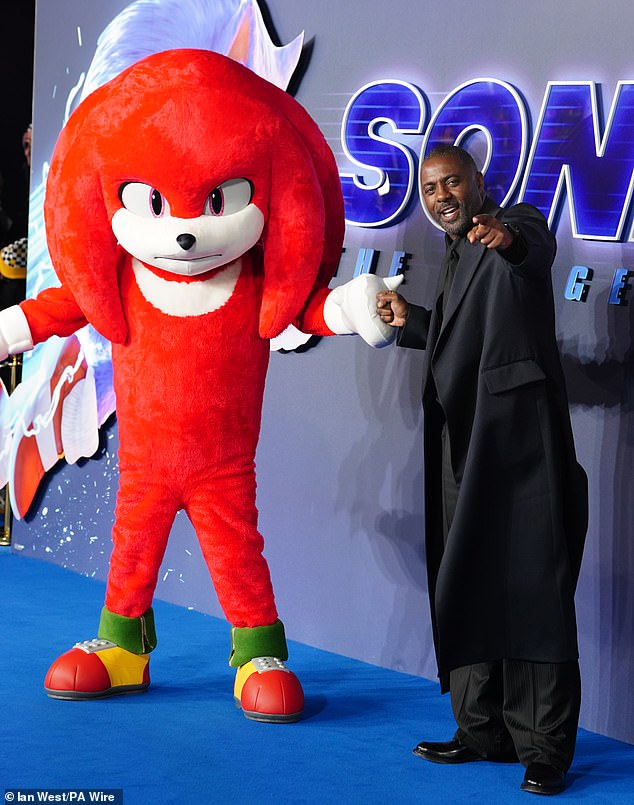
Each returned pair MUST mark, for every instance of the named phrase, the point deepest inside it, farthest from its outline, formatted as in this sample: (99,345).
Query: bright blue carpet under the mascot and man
(184,742)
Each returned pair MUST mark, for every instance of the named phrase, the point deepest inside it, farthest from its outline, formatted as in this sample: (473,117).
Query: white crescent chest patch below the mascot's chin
(176,298)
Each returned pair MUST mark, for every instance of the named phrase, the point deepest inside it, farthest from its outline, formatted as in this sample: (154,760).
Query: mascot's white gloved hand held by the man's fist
(350,309)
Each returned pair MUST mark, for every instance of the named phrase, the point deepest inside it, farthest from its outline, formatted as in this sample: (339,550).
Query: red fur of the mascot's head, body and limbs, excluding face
(189,389)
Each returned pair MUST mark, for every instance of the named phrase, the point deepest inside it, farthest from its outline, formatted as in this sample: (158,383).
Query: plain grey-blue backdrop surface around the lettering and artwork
(339,463)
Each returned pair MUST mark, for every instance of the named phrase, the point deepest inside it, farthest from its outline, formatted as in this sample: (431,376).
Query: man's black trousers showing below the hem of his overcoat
(511,708)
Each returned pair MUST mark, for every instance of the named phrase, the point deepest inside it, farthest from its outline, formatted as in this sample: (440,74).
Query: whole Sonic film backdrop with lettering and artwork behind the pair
(544,98)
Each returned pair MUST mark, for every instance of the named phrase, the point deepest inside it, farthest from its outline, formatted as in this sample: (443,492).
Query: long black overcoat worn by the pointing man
(502,587)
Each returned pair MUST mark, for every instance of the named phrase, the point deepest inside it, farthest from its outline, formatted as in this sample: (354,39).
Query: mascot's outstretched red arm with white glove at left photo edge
(53,312)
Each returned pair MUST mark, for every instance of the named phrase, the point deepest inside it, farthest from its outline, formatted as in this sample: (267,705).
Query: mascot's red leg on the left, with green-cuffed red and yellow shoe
(117,661)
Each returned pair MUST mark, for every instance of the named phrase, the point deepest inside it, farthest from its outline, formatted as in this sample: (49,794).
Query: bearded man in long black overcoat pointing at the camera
(506,500)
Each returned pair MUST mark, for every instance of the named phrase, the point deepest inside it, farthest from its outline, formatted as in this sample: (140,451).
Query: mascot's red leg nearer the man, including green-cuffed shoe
(225,518)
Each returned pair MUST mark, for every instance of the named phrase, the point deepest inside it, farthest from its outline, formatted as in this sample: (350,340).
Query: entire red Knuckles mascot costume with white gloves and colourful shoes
(193,212)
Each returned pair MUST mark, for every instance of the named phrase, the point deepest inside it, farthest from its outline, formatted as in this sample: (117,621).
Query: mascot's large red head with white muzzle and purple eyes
(187,160)
